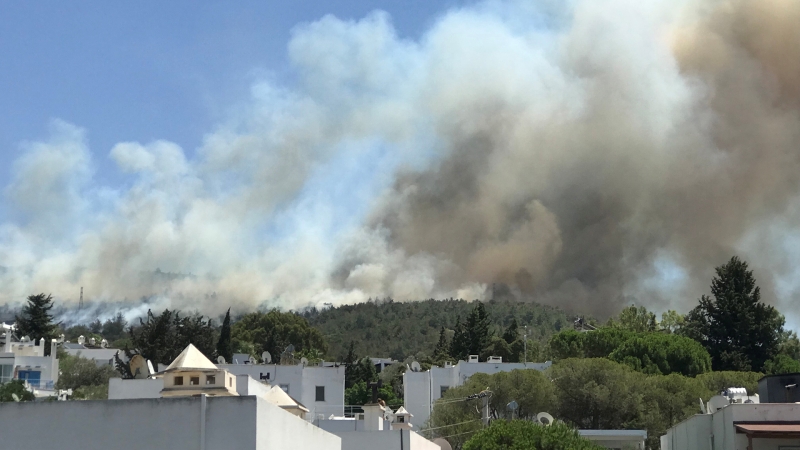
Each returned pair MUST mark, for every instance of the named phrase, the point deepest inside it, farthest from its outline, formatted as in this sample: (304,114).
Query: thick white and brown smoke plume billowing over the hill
(587,155)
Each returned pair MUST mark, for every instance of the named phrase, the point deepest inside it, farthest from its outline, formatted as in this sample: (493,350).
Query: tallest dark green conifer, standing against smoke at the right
(738,330)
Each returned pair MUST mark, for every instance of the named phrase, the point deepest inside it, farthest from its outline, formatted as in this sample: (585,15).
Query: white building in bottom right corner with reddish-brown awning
(738,426)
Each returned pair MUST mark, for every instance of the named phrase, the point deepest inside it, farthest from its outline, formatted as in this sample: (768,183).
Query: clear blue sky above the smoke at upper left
(156,70)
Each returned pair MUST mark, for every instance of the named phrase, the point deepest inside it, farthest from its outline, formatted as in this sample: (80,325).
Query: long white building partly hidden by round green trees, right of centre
(422,389)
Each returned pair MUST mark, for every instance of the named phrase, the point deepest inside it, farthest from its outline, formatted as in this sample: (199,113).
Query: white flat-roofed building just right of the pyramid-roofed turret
(320,389)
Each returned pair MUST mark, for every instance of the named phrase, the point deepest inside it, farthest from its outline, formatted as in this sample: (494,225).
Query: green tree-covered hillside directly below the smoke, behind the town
(384,328)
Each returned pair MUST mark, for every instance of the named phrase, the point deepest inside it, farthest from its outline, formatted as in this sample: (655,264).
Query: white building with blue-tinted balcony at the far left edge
(26,361)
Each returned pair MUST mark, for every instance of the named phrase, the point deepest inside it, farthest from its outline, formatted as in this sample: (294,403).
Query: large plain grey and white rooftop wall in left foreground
(245,423)
